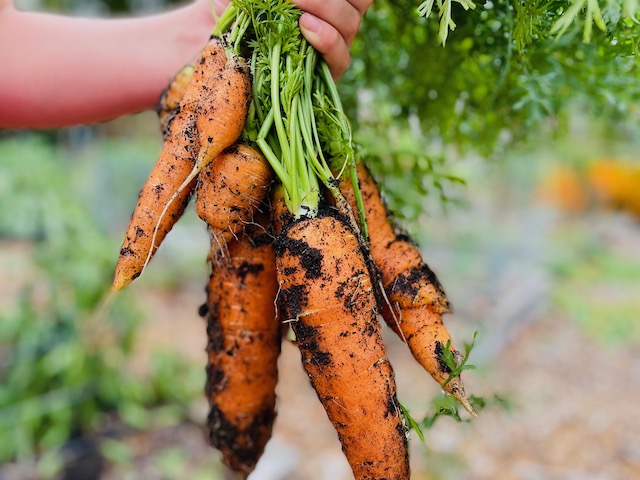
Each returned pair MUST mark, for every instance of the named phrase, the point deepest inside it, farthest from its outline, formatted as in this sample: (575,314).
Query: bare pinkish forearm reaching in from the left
(61,71)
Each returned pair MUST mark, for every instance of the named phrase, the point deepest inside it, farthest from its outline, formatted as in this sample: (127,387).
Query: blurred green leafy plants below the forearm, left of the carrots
(64,360)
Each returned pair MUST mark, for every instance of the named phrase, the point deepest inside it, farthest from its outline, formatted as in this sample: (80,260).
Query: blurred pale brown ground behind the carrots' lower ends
(572,414)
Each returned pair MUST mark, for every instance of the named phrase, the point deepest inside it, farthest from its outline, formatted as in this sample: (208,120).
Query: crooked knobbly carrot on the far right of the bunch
(415,298)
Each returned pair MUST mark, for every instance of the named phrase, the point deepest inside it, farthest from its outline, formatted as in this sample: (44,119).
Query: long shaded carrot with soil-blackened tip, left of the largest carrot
(243,348)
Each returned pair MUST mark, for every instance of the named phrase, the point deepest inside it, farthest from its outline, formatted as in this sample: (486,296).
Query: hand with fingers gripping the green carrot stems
(329,25)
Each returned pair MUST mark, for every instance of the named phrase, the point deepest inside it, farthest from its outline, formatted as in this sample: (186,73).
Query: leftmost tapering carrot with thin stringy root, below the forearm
(165,195)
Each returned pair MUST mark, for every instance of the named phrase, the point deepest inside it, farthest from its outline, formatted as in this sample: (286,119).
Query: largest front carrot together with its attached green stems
(326,292)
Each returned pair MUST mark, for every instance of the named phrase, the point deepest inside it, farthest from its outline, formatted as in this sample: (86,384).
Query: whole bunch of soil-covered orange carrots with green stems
(300,237)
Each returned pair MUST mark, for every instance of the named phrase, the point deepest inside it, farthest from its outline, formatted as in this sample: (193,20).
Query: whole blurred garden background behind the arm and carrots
(512,154)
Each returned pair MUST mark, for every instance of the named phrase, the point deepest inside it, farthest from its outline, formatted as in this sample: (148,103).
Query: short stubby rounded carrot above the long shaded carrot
(230,190)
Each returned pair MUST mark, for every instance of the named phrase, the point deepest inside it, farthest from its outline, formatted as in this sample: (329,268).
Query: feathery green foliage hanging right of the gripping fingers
(503,79)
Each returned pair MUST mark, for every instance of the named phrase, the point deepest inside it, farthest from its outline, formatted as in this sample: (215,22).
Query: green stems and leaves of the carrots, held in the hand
(296,118)
